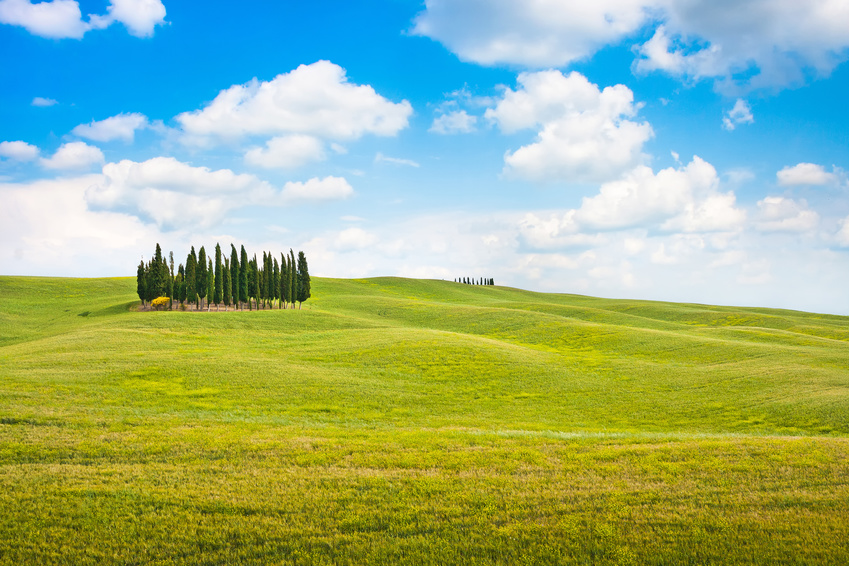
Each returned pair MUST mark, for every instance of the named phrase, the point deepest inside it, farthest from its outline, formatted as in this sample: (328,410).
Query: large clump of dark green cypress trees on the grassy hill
(236,280)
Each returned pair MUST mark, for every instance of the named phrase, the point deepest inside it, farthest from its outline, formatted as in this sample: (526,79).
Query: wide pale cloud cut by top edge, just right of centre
(539,33)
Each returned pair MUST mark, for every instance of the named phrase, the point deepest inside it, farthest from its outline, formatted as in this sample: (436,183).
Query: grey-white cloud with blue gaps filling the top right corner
(777,39)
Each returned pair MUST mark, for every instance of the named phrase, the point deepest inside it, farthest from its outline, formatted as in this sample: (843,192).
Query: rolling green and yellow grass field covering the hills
(395,421)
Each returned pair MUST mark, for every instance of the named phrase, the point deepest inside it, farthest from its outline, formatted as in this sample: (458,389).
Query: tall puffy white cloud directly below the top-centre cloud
(583,132)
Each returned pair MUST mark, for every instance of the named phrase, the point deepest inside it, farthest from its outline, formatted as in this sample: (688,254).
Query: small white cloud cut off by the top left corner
(60,19)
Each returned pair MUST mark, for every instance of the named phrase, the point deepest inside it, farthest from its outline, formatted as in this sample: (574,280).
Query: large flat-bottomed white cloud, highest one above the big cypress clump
(316,100)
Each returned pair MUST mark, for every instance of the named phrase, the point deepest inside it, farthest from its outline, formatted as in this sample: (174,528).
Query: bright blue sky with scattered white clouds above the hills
(676,150)
